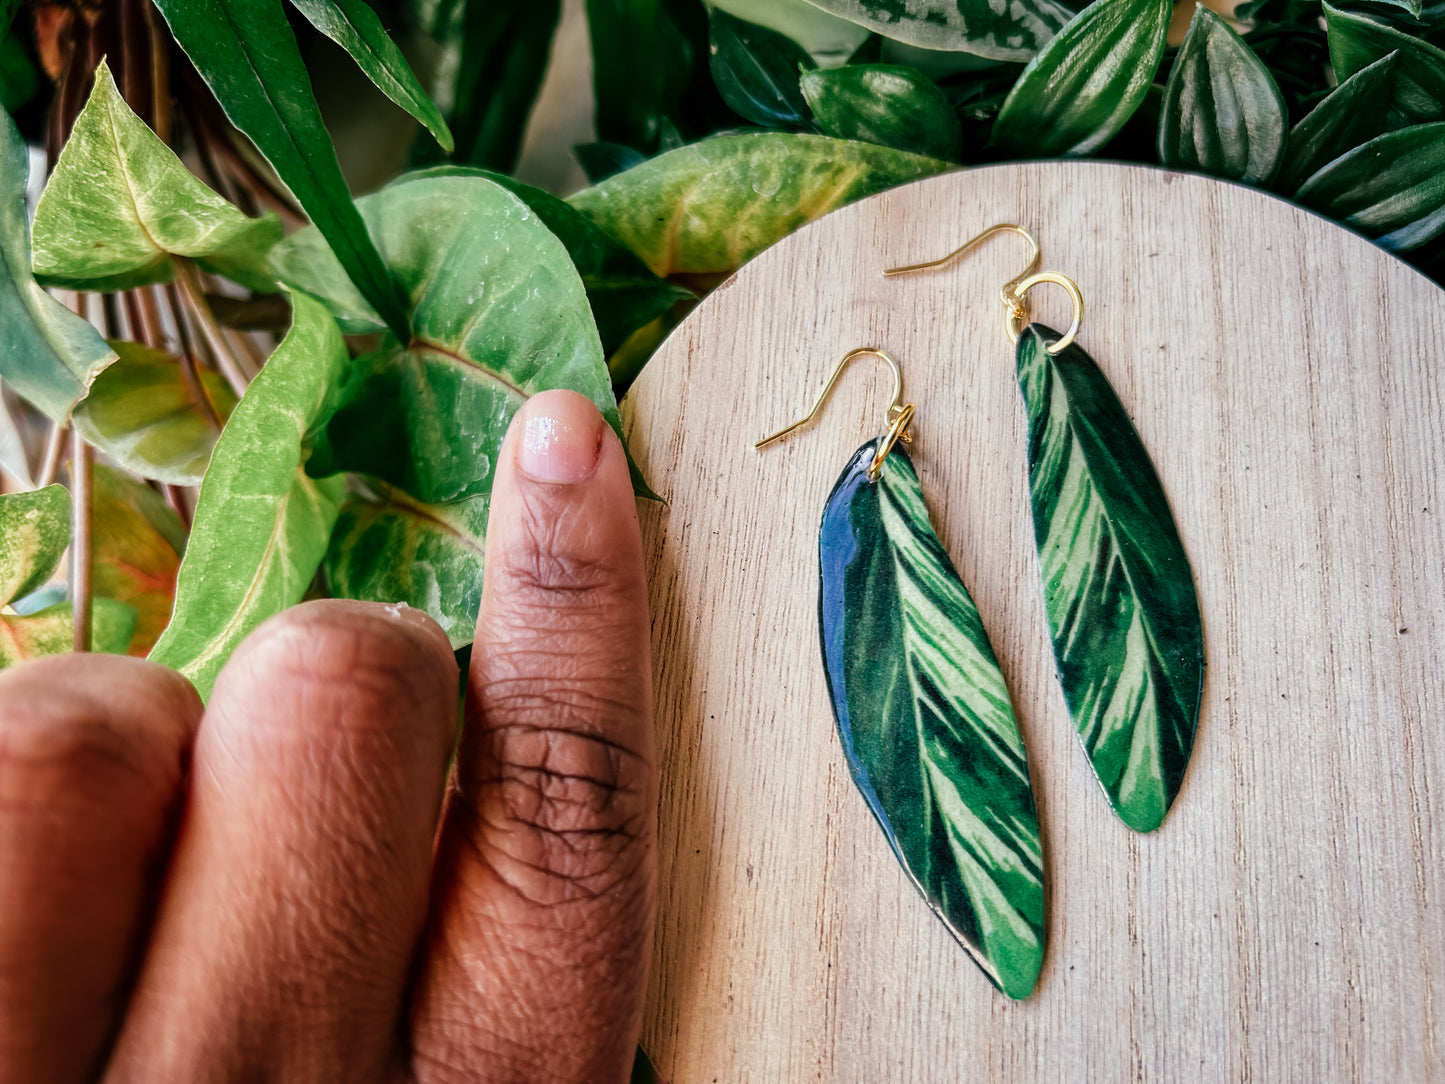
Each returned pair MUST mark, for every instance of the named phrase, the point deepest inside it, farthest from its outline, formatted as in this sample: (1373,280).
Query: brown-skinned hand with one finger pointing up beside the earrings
(290,885)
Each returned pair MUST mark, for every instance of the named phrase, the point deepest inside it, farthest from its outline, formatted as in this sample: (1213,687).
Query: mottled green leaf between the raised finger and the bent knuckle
(389,549)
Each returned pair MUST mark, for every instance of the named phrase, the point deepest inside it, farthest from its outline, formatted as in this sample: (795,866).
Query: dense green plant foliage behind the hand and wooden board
(258,385)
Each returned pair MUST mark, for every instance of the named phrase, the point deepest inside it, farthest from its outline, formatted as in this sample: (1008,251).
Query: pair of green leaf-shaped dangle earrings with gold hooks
(921,706)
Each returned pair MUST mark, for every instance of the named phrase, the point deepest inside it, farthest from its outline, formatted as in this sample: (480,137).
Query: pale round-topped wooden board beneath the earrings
(1288,921)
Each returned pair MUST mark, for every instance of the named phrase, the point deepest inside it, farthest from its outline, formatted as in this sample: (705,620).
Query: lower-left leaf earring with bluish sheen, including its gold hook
(923,710)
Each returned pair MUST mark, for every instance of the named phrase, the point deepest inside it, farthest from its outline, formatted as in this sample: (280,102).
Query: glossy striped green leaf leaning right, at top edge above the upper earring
(1080,90)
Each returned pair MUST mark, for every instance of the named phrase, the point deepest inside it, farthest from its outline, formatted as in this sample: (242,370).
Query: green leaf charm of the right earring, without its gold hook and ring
(1118,586)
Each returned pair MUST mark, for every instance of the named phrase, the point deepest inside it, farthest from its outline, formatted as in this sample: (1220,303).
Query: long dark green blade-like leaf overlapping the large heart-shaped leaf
(248,56)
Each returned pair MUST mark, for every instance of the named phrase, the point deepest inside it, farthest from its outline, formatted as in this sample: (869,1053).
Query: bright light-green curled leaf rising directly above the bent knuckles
(262,524)
